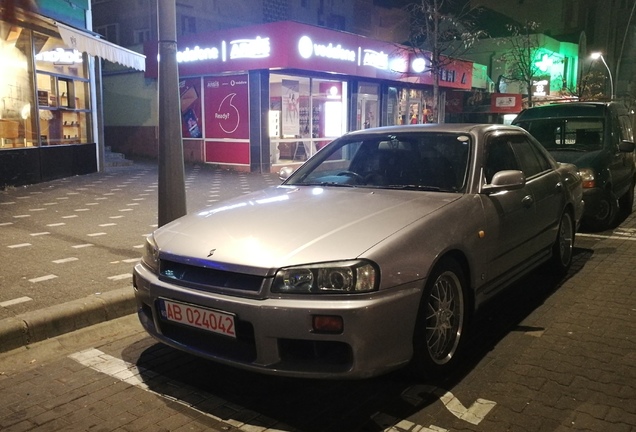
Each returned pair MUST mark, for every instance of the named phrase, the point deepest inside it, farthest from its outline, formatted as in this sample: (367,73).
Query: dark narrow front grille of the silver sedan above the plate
(207,279)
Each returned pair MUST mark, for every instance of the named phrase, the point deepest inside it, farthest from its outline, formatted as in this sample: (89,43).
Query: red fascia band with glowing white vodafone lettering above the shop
(291,45)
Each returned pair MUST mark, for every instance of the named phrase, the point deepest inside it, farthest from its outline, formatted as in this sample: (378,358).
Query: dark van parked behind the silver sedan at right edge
(598,138)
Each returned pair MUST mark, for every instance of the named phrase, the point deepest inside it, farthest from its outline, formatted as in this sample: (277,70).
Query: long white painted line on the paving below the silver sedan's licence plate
(132,374)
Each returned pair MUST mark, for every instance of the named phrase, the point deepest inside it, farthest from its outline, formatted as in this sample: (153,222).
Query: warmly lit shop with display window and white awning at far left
(48,126)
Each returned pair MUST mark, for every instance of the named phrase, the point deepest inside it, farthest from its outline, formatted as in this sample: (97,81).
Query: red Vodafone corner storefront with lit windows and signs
(261,97)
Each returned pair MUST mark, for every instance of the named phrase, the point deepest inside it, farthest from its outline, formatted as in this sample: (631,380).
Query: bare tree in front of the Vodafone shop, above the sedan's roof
(441,31)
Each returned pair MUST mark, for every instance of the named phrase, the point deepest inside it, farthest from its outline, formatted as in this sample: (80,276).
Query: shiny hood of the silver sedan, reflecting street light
(283,226)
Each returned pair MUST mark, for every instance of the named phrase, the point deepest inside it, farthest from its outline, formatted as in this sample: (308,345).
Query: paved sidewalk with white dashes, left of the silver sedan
(68,246)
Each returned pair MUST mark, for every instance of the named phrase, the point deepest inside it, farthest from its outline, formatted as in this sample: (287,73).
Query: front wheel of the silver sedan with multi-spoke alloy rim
(441,321)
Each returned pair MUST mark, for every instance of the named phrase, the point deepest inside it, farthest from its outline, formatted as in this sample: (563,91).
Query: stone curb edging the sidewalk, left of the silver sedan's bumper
(36,326)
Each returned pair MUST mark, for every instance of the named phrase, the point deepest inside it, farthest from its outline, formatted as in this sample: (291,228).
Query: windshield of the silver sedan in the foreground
(408,161)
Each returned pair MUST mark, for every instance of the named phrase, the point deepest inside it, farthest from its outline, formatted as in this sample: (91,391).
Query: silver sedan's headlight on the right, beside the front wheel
(329,278)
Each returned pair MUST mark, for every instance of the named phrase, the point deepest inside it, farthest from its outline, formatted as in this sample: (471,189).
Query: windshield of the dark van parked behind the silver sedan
(579,134)
